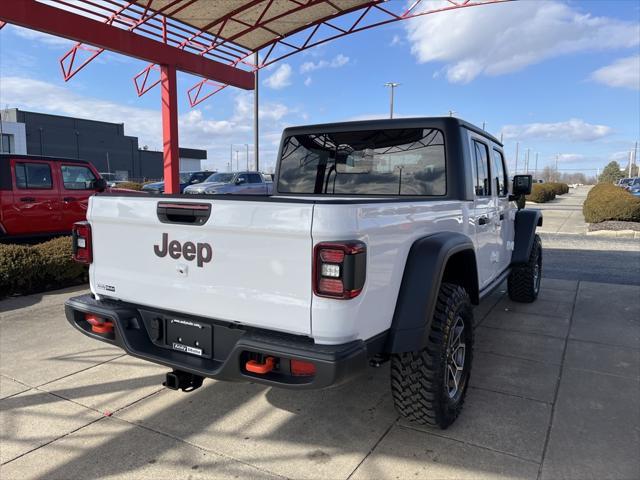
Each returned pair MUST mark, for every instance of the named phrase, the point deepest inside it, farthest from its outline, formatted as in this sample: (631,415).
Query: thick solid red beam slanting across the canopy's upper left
(55,21)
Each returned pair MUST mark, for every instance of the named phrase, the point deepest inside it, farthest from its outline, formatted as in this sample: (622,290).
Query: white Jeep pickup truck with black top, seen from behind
(378,239)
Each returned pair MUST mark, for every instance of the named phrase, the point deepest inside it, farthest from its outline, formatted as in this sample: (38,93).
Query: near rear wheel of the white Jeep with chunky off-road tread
(429,386)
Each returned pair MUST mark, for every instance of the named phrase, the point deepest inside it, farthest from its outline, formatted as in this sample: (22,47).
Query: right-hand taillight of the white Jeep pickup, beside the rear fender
(339,269)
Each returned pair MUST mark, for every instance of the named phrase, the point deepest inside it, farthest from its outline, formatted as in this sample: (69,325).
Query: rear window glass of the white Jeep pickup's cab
(409,161)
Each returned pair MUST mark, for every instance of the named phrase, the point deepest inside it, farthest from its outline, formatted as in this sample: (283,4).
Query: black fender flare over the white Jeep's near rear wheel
(423,274)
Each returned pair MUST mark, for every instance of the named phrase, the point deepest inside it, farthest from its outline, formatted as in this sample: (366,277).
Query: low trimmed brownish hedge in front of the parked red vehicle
(36,268)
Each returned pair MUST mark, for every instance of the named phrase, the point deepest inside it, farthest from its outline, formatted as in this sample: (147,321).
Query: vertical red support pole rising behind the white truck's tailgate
(170,128)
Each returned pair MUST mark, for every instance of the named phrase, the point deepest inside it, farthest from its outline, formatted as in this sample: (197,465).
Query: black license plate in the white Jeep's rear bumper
(191,337)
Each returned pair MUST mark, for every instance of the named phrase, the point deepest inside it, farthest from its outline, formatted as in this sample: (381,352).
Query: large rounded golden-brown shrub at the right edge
(608,202)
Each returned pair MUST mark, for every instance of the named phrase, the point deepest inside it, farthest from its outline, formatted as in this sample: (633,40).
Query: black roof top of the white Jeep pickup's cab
(414,122)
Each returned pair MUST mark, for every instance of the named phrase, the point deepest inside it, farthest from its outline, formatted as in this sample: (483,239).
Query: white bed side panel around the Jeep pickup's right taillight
(388,230)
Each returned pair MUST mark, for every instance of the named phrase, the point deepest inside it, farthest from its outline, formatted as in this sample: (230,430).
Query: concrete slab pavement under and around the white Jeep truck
(554,394)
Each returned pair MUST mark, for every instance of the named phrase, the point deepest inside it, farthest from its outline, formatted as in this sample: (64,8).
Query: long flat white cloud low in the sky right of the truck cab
(575,130)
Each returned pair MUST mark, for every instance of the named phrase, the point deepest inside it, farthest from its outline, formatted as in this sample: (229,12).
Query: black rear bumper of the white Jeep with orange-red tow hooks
(232,347)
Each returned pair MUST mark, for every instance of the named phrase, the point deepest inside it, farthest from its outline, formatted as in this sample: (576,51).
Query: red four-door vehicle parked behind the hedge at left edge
(43,196)
